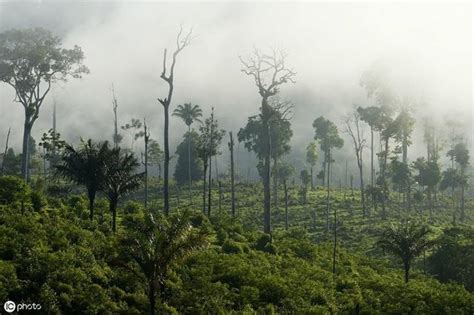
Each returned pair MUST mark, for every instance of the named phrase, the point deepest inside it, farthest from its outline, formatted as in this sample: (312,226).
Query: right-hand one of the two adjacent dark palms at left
(120,178)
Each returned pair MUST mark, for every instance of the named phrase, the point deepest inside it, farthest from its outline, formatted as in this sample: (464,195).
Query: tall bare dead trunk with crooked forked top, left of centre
(181,43)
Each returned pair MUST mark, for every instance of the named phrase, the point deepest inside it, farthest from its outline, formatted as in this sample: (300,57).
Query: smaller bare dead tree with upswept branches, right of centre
(354,130)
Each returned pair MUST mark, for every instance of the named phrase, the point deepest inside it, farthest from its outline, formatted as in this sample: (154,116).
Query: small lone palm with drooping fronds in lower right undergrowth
(406,240)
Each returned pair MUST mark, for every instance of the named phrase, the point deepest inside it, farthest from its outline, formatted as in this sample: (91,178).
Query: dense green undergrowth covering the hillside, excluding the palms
(53,255)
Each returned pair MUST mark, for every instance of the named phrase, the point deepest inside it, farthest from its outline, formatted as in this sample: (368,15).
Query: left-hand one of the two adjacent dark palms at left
(85,166)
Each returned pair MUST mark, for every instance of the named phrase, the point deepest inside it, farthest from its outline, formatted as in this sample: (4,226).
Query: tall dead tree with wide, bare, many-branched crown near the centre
(269,73)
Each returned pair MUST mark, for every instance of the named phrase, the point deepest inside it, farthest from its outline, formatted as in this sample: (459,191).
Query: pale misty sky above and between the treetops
(425,48)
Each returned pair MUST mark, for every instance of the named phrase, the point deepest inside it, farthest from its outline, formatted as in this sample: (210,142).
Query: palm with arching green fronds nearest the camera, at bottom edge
(153,244)
